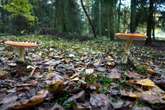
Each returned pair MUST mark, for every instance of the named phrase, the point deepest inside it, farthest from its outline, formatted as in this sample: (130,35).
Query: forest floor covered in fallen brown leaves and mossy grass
(89,75)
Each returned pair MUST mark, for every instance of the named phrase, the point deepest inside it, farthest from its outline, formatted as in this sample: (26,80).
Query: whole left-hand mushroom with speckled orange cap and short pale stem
(21,47)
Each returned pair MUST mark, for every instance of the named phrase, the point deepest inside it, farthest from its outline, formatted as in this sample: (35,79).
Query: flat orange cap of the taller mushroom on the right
(130,36)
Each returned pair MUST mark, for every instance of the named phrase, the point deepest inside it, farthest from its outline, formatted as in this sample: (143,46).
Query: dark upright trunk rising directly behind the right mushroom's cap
(133,15)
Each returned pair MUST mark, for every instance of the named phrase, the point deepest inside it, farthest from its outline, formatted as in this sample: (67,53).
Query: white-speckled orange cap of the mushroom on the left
(21,44)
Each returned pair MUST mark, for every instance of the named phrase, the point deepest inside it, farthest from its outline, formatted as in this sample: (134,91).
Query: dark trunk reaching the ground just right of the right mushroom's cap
(150,23)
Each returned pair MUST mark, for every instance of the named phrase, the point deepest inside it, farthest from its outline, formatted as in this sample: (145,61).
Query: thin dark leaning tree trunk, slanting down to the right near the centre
(89,20)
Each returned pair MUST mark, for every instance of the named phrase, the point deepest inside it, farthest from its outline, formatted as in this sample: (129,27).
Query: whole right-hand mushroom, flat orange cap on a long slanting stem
(129,37)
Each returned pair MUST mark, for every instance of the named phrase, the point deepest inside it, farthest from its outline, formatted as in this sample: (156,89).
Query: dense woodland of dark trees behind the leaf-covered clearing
(83,18)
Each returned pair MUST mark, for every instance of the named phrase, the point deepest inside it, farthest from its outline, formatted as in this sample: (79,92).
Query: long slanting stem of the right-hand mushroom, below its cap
(127,51)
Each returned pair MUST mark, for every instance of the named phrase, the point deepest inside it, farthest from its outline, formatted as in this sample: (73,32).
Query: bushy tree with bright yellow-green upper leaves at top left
(21,16)
